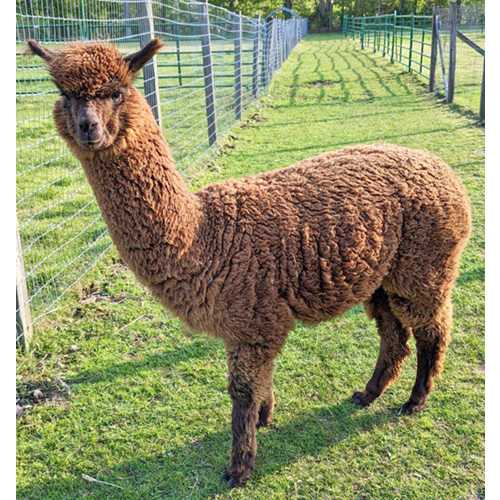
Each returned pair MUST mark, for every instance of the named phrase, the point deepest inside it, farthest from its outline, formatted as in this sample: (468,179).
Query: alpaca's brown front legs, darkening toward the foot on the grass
(250,375)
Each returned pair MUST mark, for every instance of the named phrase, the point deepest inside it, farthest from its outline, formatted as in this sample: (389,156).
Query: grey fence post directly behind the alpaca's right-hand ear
(149,71)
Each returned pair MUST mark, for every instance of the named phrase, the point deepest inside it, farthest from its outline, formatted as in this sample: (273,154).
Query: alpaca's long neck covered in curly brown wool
(152,217)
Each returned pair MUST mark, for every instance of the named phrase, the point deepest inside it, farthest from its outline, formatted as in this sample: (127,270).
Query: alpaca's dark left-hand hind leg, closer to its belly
(393,348)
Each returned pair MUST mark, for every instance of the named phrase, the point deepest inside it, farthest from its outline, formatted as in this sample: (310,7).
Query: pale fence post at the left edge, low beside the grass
(23,317)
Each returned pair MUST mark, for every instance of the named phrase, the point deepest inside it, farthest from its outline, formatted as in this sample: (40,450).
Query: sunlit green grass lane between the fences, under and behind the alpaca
(142,403)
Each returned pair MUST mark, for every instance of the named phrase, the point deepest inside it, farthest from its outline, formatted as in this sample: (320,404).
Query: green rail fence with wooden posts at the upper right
(447,48)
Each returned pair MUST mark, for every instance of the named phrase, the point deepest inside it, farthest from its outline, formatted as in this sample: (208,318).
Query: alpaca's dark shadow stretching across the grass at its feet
(193,469)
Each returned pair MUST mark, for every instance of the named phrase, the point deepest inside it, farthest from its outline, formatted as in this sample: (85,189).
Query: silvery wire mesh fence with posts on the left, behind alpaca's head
(215,64)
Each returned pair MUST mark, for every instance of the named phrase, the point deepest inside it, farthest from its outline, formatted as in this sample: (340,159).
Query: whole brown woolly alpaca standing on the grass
(244,259)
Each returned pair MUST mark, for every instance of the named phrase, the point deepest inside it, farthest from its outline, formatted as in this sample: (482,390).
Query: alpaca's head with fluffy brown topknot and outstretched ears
(95,82)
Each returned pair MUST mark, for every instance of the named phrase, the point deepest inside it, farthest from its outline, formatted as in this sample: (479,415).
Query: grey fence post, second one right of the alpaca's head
(208,74)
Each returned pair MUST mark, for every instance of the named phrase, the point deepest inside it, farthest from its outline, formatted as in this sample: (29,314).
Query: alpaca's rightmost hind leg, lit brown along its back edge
(432,339)
